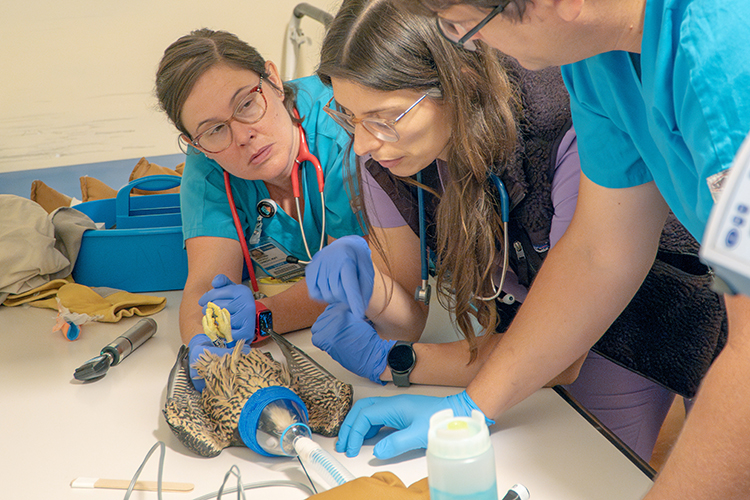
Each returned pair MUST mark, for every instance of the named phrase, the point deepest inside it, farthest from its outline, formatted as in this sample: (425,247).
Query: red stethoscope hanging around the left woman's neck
(302,156)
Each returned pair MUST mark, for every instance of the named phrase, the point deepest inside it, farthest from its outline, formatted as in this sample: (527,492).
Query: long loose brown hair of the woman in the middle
(379,46)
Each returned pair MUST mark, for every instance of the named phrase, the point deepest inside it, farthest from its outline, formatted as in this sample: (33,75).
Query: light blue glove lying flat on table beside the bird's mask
(409,414)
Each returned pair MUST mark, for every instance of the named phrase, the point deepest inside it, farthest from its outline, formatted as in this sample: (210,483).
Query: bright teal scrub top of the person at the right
(679,121)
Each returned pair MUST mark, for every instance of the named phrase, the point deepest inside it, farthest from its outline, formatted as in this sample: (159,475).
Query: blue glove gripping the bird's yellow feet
(238,300)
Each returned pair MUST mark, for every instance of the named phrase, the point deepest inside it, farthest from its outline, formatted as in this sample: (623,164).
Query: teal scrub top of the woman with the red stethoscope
(203,198)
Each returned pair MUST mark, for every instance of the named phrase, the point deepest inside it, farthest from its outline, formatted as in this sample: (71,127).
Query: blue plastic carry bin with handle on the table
(140,249)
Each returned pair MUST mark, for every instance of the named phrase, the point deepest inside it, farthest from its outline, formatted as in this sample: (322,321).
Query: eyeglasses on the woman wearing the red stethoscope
(219,136)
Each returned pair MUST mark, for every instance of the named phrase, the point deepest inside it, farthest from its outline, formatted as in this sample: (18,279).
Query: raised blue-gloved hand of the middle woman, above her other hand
(342,272)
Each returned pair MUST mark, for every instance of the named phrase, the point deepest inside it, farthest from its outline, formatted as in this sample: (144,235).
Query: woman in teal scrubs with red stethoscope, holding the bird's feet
(236,115)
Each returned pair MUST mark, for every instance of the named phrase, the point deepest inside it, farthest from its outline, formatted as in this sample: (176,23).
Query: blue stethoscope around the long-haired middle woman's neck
(422,294)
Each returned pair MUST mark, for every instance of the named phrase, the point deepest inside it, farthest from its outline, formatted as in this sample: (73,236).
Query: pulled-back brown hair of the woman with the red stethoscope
(190,56)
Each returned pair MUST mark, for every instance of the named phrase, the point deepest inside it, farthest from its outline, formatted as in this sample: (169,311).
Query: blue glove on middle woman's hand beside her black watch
(351,341)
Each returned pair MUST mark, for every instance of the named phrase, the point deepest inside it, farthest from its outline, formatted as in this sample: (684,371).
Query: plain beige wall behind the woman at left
(76,84)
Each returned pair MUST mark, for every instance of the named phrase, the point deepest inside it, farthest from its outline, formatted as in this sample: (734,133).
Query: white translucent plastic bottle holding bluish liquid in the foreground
(460,458)
